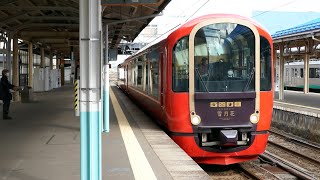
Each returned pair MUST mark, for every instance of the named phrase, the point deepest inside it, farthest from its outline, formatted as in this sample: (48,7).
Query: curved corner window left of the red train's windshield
(180,65)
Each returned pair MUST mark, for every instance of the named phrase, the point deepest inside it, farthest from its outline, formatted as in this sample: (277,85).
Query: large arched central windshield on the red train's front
(224,58)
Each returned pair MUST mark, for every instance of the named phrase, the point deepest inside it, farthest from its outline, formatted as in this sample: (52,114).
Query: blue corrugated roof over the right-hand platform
(308,26)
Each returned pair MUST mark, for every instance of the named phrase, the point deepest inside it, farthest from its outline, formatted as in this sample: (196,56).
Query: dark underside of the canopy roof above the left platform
(54,24)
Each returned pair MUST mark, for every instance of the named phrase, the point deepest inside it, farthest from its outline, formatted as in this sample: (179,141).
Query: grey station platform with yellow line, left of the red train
(42,142)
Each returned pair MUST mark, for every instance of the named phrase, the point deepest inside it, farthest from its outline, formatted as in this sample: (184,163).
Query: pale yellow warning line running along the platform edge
(139,163)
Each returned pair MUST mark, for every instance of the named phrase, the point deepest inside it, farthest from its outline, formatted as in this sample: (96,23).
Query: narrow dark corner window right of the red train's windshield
(265,73)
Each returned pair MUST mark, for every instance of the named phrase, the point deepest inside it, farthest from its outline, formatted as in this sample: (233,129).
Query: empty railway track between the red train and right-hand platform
(294,154)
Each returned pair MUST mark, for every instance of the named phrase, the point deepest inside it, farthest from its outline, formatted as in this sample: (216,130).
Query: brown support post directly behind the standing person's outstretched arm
(15,68)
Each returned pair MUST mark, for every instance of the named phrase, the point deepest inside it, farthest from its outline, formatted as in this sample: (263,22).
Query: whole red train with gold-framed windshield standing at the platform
(209,83)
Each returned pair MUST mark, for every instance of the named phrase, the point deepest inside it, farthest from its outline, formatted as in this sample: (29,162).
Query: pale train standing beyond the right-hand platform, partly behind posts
(294,75)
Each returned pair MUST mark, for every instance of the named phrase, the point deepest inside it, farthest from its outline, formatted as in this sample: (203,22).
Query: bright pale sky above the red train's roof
(274,15)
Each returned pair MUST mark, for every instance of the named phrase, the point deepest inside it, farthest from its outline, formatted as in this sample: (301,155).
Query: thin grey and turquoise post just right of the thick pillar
(106,84)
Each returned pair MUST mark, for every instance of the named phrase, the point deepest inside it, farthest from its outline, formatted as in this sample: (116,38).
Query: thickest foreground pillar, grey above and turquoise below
(90,84)
